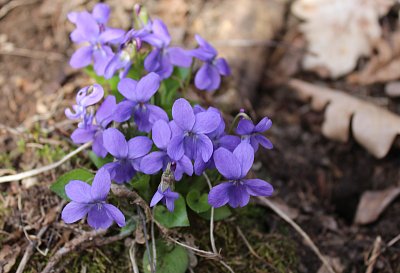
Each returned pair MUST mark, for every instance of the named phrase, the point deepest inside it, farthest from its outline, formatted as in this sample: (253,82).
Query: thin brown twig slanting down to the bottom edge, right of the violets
(305,236)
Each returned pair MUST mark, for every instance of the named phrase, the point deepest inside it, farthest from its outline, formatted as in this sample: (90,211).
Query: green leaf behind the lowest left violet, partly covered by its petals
(79,174)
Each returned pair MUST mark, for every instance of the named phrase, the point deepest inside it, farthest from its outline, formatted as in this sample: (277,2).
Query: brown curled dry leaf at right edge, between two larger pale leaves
(383,66)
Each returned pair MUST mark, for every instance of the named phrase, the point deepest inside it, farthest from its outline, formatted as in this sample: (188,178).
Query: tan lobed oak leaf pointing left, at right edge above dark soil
(373,127)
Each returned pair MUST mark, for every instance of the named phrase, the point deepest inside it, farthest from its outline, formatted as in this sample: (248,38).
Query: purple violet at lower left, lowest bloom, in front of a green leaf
(91,200)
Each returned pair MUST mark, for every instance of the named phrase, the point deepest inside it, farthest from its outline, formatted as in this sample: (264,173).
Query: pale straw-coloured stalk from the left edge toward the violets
(43,169)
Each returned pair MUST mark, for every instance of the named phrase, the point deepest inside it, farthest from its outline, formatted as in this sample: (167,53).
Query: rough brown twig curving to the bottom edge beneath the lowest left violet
(71,246)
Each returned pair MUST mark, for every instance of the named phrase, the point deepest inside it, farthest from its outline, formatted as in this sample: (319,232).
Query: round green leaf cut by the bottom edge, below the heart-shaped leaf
(170,258)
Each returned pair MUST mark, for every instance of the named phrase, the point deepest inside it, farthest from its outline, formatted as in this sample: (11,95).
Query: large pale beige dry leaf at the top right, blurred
(339,32)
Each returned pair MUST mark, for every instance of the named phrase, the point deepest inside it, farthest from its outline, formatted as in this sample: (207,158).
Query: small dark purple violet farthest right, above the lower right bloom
(253,134)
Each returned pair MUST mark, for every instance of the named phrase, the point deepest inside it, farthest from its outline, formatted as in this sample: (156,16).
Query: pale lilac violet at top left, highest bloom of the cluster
(88,30)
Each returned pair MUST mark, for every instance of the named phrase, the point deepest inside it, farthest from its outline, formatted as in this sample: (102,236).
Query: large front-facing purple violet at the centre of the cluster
(190,132)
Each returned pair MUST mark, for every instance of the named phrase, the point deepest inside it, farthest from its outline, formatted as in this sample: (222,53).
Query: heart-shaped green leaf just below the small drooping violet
(177,218)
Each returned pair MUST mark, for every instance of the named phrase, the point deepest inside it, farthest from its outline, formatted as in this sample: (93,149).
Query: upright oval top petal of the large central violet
(183,114)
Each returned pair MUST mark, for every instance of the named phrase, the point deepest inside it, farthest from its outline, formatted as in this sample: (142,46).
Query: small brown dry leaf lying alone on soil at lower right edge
(373,203)
